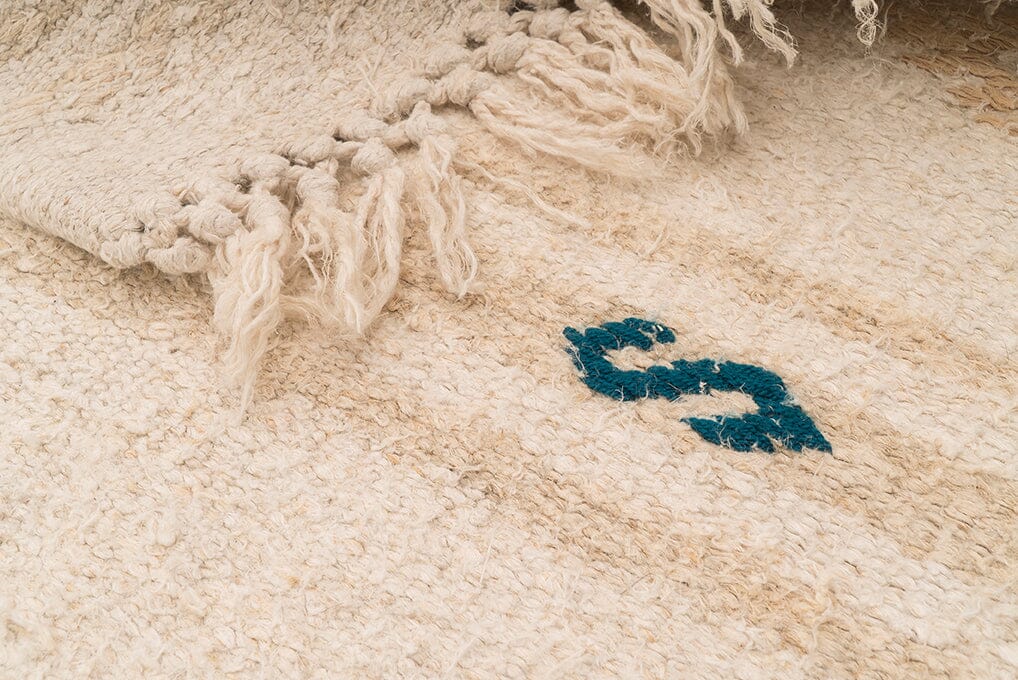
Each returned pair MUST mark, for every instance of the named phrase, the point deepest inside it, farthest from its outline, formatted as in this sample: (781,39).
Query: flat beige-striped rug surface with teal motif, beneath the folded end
(522,483)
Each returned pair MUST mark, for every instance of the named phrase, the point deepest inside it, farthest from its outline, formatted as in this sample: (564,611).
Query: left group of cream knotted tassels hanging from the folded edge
(291,244)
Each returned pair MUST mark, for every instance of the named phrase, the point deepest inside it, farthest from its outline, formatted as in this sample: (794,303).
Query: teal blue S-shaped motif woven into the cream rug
(778,418)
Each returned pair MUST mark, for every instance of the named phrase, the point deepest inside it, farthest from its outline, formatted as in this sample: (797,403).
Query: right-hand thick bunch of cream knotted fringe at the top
(589,86)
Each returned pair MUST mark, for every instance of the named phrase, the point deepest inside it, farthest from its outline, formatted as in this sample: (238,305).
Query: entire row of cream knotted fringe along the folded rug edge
(587,86)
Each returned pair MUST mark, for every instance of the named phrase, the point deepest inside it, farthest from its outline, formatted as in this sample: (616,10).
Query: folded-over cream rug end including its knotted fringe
(280,149)
